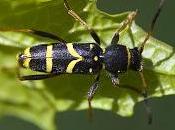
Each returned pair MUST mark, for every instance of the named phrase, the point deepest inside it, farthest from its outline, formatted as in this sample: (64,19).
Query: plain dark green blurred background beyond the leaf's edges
(163,108)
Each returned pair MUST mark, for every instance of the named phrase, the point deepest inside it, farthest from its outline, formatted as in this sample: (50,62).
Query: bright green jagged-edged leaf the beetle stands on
(38,101)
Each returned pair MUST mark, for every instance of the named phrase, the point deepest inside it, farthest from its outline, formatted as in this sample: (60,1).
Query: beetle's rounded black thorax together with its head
(119,58)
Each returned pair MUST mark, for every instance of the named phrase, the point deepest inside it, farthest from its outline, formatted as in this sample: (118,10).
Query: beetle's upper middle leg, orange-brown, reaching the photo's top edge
(81,21)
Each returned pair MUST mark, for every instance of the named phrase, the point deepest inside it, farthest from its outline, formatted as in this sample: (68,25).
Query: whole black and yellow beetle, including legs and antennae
(85,58)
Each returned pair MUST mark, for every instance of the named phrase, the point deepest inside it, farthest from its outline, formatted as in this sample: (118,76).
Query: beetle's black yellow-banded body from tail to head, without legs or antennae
(88,58)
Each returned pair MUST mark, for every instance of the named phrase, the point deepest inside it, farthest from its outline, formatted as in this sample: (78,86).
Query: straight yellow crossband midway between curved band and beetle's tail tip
(49,58)
